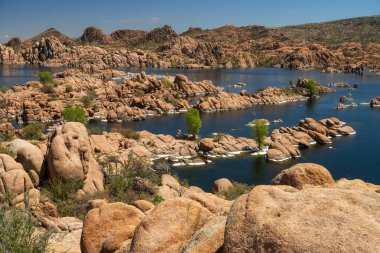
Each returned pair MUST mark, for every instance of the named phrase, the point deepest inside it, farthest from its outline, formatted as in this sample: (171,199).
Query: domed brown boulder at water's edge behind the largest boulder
(303,174)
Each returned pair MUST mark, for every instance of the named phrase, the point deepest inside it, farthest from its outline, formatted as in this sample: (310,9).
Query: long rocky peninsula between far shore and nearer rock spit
(137,97)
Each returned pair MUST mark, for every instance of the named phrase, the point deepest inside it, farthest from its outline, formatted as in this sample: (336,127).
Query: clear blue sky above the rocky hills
(26,18)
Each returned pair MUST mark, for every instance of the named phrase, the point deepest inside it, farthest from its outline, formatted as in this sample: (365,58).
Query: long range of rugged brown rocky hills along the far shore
(313,46)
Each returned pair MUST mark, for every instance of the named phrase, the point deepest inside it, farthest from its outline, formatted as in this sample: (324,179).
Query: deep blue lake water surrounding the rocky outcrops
(355,156)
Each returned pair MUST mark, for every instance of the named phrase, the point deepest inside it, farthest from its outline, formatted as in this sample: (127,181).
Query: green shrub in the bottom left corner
(17,232)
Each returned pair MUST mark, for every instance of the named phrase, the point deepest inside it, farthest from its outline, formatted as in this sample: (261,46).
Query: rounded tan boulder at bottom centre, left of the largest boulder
(169,226)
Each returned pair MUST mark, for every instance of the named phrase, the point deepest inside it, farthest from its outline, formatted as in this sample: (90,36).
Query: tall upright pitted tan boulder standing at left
(70,157)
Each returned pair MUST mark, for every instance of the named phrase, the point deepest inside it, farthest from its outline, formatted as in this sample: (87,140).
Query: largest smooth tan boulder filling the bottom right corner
(314,219)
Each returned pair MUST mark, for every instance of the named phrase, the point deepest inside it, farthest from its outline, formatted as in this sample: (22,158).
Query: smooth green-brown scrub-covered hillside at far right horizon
(361,29)
